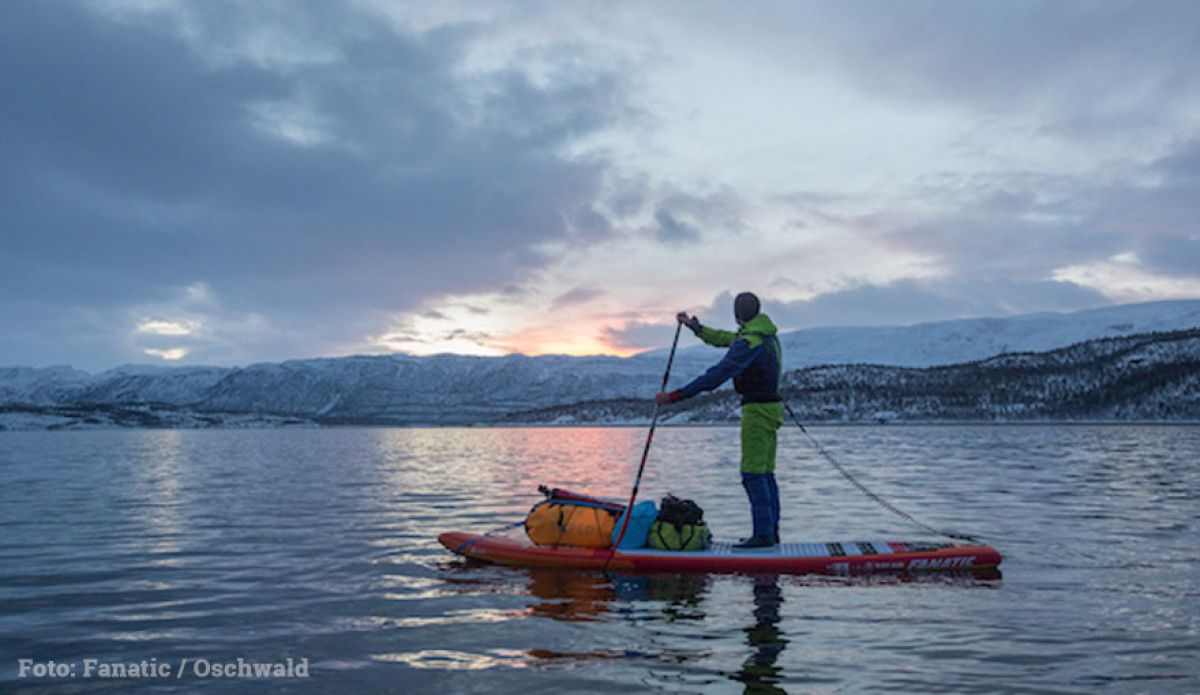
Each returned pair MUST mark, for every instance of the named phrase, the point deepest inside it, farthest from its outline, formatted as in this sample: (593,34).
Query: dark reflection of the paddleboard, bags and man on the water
(676,624)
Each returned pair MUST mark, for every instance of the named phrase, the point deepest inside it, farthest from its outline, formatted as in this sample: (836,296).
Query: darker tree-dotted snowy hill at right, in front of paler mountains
(1145,378)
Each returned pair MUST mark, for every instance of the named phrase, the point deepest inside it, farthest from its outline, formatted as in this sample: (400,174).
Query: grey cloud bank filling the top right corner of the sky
(1073,63)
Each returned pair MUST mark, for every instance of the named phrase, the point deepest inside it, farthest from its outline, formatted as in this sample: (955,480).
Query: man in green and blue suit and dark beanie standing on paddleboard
(754,362)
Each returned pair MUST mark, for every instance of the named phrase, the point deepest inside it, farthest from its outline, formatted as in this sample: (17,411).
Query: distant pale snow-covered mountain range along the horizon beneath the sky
(472,390)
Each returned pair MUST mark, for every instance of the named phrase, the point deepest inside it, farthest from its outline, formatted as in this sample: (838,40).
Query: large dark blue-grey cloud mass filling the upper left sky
(347,169)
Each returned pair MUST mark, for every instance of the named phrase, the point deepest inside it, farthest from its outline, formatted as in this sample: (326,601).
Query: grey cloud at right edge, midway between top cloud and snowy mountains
(1022,227)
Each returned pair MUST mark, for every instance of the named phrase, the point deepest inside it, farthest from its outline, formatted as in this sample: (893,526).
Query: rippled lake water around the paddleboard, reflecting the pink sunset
(160,547)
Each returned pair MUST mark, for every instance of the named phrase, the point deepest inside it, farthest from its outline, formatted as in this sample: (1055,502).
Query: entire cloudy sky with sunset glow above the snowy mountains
(226,183)
